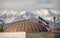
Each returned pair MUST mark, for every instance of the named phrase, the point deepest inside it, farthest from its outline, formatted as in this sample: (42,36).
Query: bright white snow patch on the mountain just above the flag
(44,13)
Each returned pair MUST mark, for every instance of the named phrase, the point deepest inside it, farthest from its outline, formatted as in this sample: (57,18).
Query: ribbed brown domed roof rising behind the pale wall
(24,26)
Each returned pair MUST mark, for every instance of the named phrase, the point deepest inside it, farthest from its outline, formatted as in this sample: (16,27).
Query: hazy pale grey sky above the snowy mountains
(29,4)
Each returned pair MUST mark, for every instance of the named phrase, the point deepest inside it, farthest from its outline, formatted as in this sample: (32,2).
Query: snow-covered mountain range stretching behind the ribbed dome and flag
(10,16)
